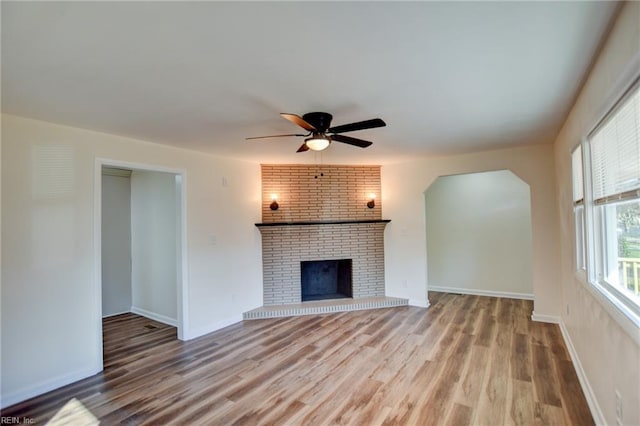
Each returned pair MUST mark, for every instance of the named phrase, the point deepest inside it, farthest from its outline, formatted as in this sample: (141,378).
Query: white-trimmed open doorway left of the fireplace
(149,261)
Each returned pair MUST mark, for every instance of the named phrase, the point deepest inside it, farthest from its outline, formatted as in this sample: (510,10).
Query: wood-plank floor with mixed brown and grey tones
(465,360)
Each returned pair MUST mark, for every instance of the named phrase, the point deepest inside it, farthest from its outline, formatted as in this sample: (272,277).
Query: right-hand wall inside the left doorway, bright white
(153,245)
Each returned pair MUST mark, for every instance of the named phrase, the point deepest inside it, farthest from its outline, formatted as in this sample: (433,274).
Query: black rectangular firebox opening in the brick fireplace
(326,279)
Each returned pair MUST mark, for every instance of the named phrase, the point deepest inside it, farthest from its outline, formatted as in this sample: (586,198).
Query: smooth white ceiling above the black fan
(447,77)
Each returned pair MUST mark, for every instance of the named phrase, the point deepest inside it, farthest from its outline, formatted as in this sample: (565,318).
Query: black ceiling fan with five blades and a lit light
(321,135)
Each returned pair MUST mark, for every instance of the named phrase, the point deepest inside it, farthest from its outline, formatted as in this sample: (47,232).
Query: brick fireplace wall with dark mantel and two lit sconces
(322,215)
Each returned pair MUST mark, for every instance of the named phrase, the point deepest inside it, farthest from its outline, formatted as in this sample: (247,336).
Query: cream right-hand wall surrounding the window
(606,345)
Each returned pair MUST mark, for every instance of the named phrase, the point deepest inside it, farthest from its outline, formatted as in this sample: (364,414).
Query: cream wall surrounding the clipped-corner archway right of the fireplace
(403,187)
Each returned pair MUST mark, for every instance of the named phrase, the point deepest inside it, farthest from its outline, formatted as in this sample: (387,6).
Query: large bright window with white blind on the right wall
(614,166)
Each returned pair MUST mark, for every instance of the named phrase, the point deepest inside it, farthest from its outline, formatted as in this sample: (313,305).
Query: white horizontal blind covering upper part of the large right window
(615,152)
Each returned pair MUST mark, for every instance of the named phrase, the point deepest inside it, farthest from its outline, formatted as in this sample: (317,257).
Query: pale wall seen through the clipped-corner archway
(479,234)
